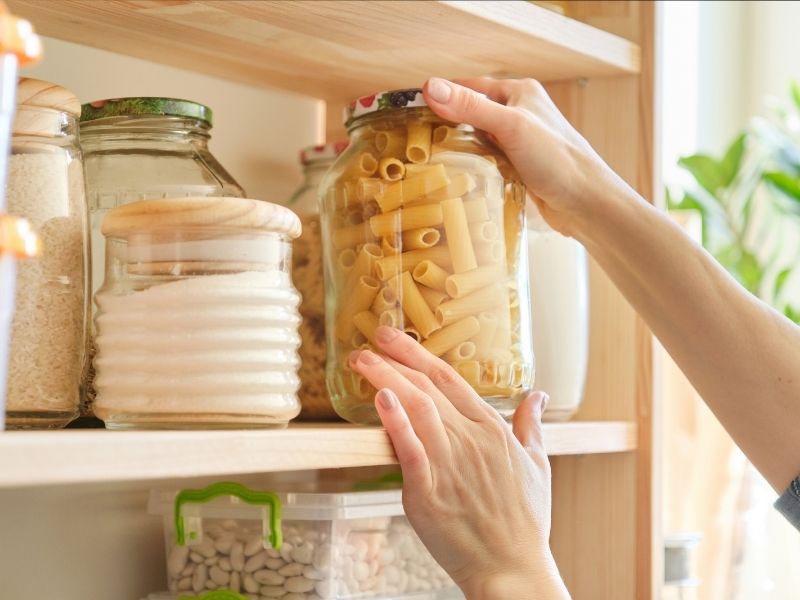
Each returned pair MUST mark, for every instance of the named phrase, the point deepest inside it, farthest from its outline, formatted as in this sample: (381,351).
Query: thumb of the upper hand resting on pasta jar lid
(460,104)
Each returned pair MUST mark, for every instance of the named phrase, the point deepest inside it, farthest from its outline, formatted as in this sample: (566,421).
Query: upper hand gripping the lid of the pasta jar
(562,172)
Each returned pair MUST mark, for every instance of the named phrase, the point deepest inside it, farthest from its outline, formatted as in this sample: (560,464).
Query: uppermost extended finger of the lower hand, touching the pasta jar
(407,352)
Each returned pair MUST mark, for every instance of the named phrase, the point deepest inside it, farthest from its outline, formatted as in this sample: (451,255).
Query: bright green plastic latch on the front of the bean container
(226,488)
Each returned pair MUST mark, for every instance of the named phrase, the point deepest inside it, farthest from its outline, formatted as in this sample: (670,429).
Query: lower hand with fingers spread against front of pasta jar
(476,491)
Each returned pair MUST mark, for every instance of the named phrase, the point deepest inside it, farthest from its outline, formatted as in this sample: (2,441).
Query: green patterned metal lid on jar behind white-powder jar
(144,106)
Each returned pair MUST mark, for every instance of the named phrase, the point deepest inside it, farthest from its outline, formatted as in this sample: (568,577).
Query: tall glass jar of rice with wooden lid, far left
(45,186)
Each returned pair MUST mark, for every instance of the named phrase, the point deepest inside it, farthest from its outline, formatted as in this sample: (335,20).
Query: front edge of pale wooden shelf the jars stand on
(31,458)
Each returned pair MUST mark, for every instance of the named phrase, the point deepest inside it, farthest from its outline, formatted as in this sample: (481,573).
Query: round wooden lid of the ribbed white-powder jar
(165,214)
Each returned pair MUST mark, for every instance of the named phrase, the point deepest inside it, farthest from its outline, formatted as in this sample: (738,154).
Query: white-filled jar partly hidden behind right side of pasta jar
(560,309)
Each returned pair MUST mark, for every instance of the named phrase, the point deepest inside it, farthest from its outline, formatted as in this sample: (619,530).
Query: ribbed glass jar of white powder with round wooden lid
(197,318)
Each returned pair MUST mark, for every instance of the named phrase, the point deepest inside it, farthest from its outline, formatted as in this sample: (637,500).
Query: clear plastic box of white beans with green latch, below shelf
(326,545)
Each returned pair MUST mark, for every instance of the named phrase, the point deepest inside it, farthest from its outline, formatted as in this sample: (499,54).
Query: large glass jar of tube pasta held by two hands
(424,230)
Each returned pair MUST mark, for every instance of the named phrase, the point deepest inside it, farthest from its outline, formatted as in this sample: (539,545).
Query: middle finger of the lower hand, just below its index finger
(419,406)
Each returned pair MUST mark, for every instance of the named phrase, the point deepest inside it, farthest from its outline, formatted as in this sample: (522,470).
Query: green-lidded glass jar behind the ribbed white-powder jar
(144,148)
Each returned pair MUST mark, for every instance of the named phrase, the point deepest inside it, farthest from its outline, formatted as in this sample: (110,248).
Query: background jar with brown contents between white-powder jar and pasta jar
(308,279)
